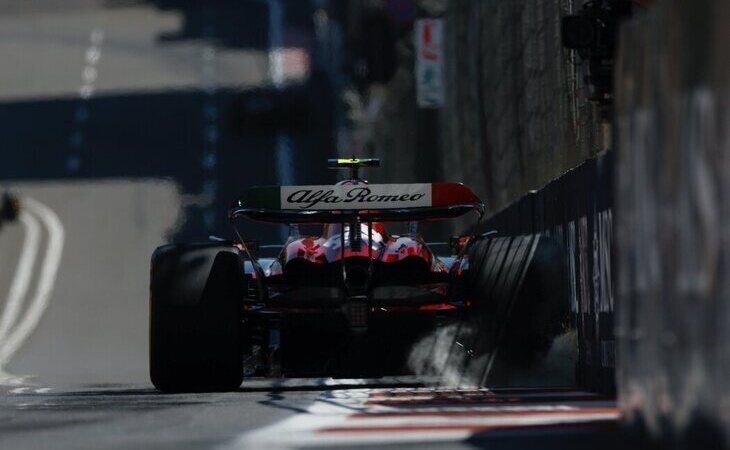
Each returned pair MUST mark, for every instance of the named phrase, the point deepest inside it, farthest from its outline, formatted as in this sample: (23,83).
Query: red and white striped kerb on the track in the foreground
(406,415)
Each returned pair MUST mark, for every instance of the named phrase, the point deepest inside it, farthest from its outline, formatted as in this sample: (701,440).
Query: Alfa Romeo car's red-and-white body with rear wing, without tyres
(342,285)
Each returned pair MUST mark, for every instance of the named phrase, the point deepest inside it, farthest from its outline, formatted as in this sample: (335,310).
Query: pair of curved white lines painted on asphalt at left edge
(18,327)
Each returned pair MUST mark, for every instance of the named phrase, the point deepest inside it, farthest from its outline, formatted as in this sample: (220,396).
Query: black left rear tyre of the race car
(195,318)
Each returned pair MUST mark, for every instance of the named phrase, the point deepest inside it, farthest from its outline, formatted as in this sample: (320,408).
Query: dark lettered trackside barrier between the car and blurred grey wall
(575,210)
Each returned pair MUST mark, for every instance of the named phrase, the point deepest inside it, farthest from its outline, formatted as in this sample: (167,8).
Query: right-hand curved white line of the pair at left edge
(46,280)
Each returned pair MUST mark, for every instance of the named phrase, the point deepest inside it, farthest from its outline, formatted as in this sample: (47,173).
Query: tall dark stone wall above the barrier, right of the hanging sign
(516,115)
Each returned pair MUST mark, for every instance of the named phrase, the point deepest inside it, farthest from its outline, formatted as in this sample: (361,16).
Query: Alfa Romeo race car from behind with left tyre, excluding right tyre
(348,301)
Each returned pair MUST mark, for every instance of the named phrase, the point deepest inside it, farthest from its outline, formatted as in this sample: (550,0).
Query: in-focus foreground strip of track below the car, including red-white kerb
(384,414)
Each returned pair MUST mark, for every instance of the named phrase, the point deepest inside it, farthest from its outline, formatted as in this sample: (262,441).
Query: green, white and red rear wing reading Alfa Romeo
(365,202)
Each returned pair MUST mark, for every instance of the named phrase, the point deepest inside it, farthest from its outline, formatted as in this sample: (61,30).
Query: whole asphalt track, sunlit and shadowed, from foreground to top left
(114,135)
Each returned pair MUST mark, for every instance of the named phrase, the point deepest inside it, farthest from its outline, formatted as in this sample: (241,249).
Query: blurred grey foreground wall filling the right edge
(673,211)
